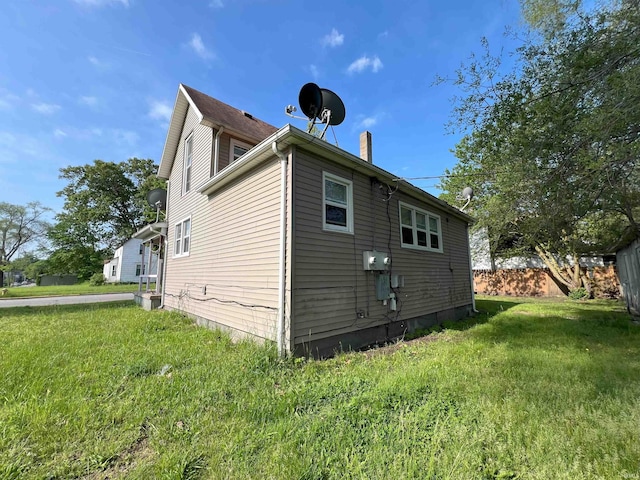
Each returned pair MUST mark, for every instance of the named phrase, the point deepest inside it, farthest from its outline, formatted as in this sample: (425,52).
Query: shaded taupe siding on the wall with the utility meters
(330,283)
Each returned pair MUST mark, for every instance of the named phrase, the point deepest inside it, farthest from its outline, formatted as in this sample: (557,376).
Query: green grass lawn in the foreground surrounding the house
(530,390)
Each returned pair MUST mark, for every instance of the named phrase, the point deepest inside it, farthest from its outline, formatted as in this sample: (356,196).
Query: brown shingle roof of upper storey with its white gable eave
(213,113)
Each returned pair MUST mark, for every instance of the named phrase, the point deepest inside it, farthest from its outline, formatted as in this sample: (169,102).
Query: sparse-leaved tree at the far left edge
(19,226)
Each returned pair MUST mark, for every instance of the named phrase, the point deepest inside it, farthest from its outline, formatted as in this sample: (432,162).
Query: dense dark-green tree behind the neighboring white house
(105,204)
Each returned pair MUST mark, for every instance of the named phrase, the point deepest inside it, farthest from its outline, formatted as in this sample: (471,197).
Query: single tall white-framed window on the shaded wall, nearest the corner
(337,203)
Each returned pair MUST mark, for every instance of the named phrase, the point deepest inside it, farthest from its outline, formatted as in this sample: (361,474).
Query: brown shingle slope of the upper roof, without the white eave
(220,113)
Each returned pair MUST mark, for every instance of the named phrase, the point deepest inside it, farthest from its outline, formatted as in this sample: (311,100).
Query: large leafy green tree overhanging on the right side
(554,145)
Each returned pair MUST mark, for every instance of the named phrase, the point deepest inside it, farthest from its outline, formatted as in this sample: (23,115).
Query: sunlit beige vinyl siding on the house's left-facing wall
(230,276)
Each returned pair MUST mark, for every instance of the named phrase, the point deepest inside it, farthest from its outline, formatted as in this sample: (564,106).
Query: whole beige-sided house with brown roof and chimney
(279,235)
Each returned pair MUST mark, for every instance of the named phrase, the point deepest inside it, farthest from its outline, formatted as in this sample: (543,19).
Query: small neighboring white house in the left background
(127,263)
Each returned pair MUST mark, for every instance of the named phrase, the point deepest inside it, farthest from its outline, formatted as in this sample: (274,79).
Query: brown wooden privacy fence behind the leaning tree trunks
(537,282)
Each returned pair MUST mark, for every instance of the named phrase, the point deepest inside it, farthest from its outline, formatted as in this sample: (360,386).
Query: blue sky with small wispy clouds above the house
(96,79)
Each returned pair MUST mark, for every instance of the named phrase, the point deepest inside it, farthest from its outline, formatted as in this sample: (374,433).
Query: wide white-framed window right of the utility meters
(419,229)
